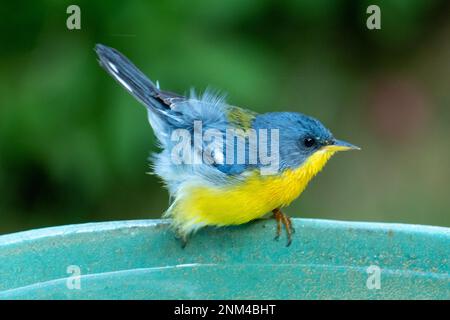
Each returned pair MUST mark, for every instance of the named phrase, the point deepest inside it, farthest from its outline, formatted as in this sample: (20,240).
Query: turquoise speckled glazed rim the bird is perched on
(143,260)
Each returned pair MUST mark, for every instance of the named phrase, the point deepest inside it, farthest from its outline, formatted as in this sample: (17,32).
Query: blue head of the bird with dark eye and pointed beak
(303,138)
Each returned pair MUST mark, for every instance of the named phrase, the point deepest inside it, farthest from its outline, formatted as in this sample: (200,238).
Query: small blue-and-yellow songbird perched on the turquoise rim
(212,180)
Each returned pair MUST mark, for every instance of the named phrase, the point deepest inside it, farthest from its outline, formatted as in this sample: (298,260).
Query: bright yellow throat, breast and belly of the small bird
(257,195)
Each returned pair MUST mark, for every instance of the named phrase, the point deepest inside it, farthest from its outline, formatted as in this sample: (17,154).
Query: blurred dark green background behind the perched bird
(74,145)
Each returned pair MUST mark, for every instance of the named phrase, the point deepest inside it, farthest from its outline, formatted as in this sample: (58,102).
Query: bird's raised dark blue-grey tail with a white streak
(127,75)
